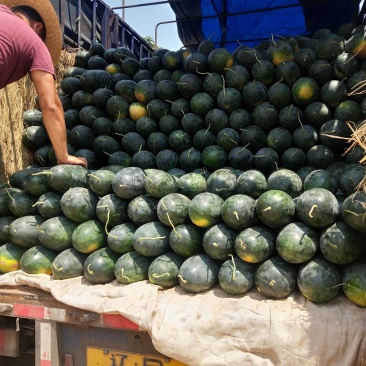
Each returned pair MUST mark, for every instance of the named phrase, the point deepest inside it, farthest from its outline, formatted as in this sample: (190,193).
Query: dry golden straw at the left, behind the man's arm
(14,100)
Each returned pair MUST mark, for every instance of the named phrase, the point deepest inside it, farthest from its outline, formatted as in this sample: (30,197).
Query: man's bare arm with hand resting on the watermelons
(53,116)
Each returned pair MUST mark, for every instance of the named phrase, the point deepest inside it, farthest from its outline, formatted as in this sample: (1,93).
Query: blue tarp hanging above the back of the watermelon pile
(230,22)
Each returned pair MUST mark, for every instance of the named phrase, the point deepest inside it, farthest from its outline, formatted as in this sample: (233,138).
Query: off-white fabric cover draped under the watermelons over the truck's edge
(216,329)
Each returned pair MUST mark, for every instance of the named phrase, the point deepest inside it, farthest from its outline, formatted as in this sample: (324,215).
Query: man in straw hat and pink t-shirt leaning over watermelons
(31,43)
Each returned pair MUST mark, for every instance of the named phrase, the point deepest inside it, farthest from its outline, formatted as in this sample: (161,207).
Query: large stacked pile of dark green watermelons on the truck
(204,168)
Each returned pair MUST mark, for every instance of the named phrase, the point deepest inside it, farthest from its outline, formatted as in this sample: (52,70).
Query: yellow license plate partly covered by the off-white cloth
(108,357)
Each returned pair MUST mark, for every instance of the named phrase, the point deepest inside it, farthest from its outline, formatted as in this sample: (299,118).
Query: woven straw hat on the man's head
(46,11)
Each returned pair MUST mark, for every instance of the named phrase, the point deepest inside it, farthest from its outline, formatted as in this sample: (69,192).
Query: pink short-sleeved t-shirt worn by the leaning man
(21,49)
